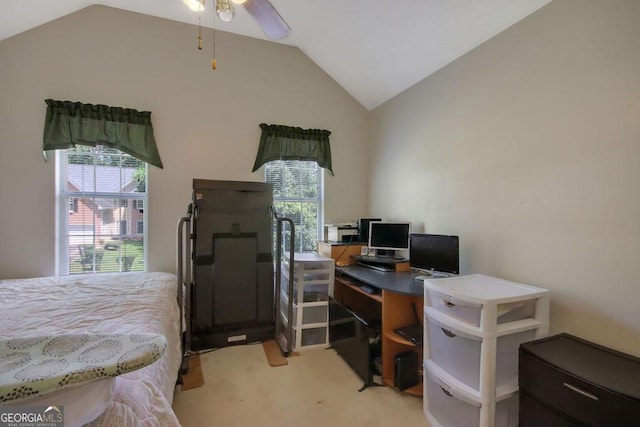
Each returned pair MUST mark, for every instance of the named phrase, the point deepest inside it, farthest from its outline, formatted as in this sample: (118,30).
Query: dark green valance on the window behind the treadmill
(293,143)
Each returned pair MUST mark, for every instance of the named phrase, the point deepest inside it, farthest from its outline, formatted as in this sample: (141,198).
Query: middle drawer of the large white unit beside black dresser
(459,353)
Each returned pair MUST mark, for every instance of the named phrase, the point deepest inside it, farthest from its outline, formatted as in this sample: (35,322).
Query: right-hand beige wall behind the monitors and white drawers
(528,147)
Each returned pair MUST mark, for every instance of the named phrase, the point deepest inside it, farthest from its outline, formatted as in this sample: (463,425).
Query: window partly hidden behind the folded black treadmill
(297,194)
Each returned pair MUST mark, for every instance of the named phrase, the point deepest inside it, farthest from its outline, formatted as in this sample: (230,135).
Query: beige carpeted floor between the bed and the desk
(315,388)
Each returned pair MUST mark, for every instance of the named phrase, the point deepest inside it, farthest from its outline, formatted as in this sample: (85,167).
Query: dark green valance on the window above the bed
(69,123)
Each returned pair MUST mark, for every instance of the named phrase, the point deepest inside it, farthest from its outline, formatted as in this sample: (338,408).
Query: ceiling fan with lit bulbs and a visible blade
(262,11)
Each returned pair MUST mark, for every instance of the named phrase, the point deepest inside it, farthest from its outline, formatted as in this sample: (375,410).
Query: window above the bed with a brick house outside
(97,228)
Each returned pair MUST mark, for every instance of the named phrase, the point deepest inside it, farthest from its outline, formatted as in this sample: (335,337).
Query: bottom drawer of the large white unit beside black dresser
(444,406)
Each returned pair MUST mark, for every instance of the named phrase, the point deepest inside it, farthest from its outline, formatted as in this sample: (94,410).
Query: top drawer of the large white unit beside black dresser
(470,312)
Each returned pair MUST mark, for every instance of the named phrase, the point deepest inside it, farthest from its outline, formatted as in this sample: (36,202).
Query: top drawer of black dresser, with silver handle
(587,403)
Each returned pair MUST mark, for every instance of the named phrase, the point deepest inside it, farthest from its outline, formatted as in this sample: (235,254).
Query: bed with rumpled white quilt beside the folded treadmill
(124,303)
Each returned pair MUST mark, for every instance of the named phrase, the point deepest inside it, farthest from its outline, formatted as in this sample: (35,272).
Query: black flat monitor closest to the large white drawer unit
(435,252)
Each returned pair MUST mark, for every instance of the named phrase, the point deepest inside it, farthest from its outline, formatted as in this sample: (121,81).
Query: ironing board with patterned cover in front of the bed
(35,366)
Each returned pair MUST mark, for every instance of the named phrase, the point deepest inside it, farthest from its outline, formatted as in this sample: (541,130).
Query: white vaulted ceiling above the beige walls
(374,49)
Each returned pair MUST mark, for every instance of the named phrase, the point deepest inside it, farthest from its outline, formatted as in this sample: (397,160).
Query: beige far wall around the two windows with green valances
(206,123)
